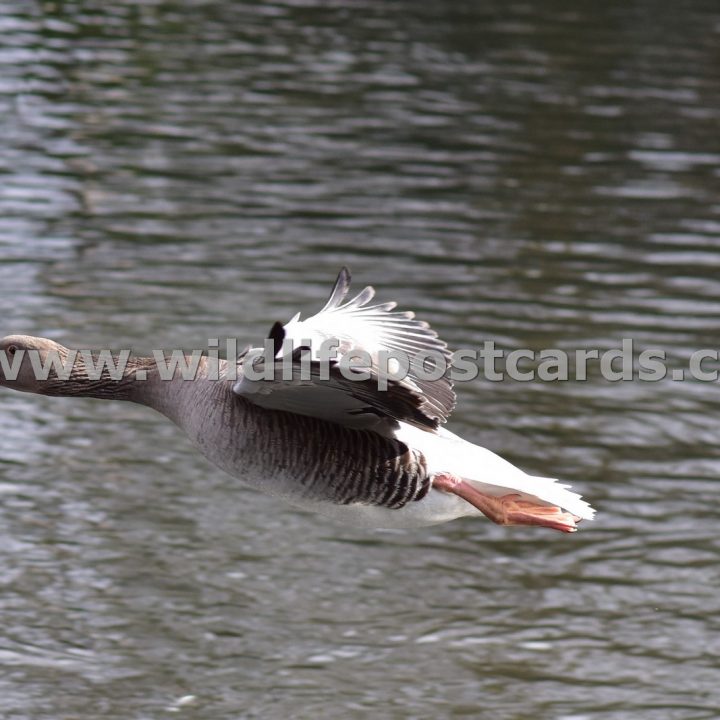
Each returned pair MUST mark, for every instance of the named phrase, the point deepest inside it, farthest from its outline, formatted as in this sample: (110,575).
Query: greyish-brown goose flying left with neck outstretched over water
(361,443)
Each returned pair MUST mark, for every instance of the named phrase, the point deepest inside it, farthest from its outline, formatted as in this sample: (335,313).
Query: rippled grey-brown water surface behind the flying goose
(529,173)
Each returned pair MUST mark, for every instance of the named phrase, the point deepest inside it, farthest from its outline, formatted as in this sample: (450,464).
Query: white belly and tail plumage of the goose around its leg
(488,472)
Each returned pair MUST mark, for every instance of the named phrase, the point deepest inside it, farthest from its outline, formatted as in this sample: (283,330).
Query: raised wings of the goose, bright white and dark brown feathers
(361,365)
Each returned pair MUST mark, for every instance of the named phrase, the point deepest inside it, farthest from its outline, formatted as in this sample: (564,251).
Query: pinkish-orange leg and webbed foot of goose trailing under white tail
(508,509)
